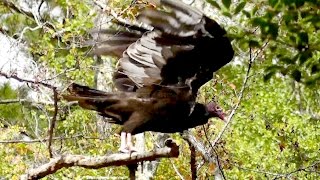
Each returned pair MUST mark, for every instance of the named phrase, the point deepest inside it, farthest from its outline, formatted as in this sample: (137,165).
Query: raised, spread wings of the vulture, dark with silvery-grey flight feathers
(184,48)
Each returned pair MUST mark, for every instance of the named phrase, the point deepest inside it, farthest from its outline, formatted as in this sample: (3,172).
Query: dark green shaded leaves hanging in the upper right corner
(290,29)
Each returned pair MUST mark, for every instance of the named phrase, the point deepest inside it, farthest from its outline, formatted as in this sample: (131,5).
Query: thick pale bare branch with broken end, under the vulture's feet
(91,162)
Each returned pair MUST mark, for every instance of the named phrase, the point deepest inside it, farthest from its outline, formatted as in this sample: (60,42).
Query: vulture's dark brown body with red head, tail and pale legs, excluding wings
(155,108)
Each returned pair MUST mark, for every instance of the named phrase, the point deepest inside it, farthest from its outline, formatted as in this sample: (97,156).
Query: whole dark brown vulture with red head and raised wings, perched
(159,71)
